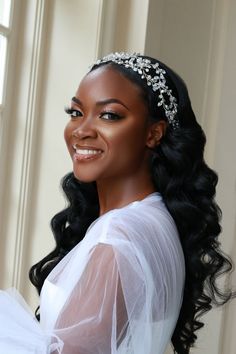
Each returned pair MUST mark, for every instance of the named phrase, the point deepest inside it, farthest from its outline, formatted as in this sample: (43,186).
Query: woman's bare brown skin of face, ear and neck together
(111,138)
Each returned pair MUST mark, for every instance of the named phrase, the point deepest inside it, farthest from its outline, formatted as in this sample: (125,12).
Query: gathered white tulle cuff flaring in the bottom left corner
(20,332)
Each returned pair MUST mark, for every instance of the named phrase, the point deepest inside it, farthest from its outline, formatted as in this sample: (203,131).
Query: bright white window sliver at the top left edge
(5,12)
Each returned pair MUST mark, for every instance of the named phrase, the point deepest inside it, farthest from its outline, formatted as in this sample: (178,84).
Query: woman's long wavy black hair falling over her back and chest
(187,186)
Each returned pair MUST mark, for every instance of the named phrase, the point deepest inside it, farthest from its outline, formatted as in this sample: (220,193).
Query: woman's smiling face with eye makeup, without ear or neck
(107,137)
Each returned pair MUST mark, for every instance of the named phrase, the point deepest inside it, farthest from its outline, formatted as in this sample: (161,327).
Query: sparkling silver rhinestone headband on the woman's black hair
(157,82)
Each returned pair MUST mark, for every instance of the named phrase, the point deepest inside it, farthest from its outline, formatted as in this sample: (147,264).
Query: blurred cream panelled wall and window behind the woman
(46,47)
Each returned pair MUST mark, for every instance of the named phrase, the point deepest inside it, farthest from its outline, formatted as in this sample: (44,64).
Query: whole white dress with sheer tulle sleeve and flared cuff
(119,291)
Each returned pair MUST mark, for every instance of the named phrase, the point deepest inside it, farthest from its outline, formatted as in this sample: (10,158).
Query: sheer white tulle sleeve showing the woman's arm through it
(86,321)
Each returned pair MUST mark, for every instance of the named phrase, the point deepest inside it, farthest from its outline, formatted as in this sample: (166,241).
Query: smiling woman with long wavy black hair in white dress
(137,252)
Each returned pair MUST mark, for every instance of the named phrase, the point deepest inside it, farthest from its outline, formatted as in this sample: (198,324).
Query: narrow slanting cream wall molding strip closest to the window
(37,12)
